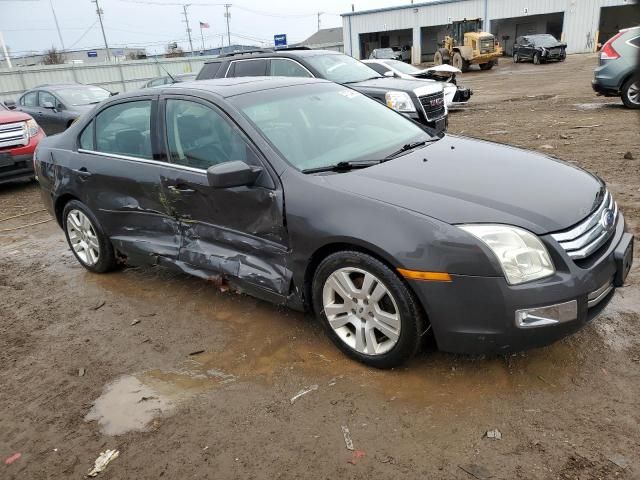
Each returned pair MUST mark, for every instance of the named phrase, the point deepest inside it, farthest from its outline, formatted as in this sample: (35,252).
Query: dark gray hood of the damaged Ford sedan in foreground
(460,180)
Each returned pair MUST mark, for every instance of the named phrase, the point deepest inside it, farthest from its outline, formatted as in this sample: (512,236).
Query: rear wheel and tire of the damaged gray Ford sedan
(85,236)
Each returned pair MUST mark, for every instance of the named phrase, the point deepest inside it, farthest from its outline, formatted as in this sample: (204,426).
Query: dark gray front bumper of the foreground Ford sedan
(477,315)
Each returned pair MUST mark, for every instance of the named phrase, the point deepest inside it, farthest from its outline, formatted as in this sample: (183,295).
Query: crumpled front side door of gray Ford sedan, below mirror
(229,228)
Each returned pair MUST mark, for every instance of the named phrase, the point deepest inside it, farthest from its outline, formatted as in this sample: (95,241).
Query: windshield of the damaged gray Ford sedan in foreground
(320,125)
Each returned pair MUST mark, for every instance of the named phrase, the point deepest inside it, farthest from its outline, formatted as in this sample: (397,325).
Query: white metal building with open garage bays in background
(582,24)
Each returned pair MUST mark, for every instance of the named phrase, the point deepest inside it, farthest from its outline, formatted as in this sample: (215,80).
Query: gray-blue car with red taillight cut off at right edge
(617,74)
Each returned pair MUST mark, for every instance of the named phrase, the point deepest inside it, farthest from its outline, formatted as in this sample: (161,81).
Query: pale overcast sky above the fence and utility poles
(28,25)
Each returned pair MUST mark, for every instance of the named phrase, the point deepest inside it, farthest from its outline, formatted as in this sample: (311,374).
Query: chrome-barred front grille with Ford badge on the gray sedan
(589,235)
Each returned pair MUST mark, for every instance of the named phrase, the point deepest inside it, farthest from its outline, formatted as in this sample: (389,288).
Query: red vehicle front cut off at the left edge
(19,137)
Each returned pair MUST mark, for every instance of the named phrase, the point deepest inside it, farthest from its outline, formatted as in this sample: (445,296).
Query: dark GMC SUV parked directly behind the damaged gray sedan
(414,98)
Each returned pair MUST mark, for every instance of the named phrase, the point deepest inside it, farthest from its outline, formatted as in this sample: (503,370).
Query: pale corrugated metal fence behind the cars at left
(118,77)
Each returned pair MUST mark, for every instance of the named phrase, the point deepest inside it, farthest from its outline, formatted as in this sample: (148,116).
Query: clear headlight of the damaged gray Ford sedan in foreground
(521,254)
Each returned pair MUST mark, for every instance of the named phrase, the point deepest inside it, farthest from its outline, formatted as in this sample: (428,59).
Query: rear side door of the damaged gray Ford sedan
(118,175)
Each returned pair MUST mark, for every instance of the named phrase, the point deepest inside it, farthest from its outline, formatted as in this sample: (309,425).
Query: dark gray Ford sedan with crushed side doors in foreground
(309,194)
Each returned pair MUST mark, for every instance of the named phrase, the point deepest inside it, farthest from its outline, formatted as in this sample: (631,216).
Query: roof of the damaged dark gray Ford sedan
(230,87)
